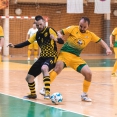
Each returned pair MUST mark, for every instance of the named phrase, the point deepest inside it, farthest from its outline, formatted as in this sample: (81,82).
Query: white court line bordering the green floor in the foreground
(63,110)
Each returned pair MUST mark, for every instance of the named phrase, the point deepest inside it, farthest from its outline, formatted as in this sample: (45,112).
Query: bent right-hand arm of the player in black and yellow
(53,35)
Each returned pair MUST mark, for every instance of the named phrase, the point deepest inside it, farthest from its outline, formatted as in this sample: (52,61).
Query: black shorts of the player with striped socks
(35,69)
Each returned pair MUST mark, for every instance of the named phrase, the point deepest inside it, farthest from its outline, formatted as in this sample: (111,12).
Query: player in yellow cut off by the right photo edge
(113,36)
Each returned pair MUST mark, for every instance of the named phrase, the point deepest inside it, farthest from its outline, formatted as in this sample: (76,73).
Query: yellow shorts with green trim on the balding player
(72,60)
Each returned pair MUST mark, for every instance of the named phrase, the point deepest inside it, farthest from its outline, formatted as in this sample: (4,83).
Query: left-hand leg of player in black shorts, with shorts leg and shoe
(34,71)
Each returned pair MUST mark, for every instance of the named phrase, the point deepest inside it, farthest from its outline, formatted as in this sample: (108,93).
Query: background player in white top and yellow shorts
(34,46)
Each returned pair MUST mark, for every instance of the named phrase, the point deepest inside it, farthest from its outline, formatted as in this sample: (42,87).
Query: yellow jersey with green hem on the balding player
(76,40)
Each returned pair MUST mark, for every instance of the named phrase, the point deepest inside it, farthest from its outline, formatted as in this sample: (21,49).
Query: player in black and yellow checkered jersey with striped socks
(46,38)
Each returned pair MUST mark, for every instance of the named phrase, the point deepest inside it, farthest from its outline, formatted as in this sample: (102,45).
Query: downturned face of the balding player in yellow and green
(83,26)
